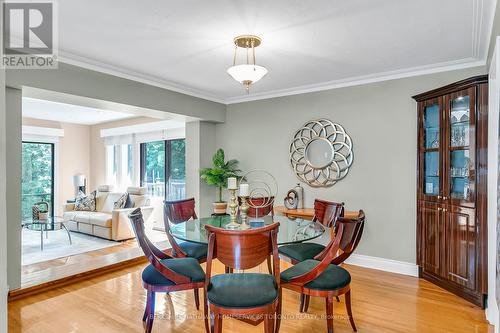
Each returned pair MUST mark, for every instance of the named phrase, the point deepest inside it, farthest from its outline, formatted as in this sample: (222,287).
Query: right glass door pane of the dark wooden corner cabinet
(460,166)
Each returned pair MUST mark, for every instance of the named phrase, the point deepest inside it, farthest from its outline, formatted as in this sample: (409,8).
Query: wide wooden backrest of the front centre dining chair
(242,249)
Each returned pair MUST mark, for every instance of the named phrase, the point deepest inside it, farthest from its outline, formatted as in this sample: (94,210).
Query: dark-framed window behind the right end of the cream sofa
(163,168)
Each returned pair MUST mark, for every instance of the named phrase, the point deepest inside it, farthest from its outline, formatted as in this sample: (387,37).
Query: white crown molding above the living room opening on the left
(72,59)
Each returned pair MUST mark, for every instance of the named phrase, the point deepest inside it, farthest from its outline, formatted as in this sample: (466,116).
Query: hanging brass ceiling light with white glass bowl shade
(249,73)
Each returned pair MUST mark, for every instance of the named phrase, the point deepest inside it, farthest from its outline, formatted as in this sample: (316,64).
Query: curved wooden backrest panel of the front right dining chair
(353,230)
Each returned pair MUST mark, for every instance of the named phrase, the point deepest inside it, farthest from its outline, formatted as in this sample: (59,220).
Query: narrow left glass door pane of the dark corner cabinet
(431,147)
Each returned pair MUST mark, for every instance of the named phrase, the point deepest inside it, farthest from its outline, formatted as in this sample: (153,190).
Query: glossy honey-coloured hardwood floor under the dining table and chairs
(382,302)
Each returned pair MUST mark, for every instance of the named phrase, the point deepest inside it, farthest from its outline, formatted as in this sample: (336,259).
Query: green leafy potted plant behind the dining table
(217,176)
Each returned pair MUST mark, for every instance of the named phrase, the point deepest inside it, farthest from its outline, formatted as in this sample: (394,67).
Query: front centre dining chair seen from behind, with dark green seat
(243,295)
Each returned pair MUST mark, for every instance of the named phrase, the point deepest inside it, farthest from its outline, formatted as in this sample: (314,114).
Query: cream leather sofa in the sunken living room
(107,222)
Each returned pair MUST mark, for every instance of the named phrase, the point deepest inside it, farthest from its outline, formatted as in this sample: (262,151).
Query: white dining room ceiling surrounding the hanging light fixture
(307,45)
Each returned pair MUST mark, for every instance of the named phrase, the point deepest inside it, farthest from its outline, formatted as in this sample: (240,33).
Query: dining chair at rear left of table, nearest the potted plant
(176,212)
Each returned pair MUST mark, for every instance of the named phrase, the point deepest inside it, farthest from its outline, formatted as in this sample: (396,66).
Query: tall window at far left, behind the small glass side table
(37,182)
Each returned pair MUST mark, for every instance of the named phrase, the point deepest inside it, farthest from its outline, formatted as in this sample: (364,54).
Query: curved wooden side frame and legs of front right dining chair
(298,283)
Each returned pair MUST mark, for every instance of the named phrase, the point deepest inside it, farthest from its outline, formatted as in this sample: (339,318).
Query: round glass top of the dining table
(291,230)
